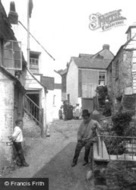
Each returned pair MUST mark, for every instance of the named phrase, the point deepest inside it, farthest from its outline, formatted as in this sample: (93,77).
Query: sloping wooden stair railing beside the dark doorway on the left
(33,110)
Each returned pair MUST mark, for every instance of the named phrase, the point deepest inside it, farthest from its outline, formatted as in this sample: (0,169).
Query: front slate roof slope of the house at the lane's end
(94,63)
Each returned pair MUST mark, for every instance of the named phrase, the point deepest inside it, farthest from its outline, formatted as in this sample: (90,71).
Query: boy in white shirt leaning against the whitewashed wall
(17,138)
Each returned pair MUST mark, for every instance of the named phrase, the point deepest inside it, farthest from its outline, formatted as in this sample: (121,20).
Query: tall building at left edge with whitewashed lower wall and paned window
(12,71)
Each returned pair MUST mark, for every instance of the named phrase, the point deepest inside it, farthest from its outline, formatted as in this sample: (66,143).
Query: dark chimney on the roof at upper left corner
(13,16)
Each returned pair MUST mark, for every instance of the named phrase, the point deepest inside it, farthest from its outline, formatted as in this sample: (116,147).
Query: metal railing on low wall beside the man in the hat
(115,148)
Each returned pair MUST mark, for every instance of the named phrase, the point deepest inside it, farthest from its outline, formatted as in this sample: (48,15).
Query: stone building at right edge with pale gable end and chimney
(121,73)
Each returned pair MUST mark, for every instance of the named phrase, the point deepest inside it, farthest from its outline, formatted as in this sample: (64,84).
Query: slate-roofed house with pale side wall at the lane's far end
(84,74)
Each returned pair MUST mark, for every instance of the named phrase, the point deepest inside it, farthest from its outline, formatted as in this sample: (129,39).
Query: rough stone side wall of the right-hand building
(121,76)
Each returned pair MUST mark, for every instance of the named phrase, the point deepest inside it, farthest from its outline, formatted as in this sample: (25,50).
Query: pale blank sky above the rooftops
(62,26)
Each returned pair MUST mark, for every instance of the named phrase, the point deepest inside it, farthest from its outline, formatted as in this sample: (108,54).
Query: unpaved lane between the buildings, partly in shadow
(51,158)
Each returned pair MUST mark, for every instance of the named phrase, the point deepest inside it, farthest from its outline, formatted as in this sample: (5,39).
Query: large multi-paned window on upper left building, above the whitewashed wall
(12,56)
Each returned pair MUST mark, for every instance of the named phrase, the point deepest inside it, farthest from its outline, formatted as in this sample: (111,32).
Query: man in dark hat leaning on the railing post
(86,135)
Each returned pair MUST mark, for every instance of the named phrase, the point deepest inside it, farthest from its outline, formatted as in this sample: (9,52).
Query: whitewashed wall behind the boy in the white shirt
(6,118)
